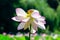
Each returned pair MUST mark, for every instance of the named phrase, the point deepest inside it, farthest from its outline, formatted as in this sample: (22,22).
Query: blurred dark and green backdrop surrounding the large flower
(50,9)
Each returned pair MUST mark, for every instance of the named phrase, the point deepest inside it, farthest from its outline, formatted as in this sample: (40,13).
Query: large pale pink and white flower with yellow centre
(32,17)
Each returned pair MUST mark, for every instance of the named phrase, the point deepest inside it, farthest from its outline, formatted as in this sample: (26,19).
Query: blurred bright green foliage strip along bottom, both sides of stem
(38,37)
